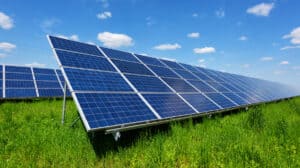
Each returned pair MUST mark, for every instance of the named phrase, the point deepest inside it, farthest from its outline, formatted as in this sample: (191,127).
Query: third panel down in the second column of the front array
(147,83)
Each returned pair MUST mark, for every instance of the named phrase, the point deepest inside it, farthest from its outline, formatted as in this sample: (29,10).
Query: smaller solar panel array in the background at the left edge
(20,82)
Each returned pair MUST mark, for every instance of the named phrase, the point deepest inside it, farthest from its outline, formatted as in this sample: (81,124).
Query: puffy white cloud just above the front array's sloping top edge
(114,40)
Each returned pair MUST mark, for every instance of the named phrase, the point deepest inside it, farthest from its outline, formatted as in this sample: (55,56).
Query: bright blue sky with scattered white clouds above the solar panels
(255,38)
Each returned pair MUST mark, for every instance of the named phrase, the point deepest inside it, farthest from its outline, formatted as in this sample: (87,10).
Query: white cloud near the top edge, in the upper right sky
(262,9)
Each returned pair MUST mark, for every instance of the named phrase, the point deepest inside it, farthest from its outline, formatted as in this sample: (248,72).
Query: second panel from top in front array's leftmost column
(84,61)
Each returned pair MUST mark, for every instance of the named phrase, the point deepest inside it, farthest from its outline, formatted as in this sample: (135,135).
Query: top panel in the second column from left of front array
(119,55)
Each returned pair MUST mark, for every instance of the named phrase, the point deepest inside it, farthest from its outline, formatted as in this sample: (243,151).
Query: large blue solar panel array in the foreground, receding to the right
(115,89)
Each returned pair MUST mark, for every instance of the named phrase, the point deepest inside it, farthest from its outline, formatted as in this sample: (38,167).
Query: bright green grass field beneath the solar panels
(31,135)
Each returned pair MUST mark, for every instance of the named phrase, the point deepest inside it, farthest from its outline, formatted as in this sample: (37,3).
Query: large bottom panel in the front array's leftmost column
(105,109)
